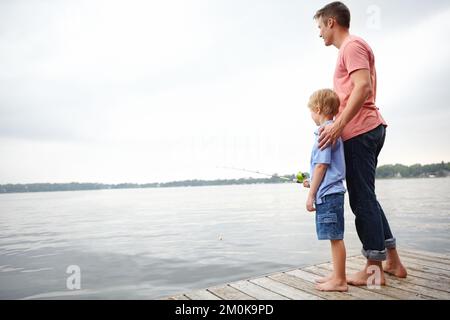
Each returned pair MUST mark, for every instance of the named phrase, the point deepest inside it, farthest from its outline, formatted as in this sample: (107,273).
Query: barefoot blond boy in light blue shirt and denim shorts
(327,189)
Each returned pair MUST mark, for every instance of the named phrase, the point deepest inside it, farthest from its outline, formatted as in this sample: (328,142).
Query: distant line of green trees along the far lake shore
(387,171)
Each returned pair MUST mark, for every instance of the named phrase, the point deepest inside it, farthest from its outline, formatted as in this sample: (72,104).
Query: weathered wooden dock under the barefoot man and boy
(428,279)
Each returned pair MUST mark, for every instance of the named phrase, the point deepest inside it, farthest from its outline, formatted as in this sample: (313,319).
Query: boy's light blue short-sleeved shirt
(333,156)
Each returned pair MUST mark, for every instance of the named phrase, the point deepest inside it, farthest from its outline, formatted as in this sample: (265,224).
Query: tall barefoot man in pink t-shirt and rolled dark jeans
(363,130)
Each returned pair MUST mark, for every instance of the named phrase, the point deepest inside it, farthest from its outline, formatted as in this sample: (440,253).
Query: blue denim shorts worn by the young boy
(330,217)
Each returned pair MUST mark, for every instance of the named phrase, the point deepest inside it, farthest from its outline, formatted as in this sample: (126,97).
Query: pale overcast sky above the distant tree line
(143,91)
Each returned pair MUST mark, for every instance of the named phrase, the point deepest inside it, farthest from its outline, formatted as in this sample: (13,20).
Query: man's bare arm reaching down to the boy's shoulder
(361,91)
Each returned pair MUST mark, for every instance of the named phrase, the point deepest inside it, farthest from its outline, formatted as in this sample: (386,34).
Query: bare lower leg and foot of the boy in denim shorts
(337,281)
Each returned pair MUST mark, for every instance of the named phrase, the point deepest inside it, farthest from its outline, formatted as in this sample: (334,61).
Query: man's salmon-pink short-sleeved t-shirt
(355,54)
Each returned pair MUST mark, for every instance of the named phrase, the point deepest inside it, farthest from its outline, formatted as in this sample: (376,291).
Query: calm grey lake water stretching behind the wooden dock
(152,243)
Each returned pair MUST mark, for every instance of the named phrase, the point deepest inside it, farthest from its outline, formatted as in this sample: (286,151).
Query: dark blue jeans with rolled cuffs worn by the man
(361,158)
